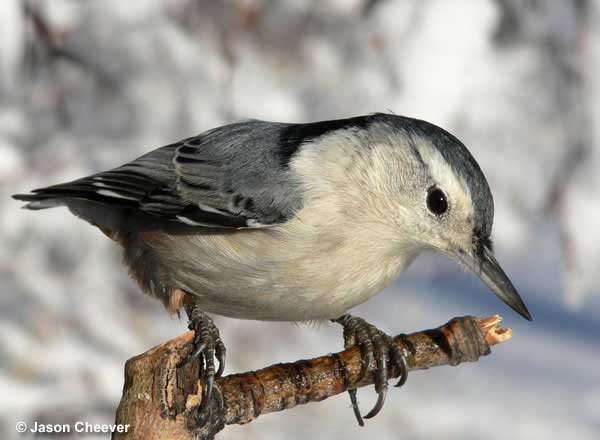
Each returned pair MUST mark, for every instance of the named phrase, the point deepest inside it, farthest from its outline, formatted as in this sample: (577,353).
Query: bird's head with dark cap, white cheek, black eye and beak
(441,199)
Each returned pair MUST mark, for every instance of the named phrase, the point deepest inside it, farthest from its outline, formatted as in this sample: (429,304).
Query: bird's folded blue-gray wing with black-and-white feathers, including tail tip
(230,177)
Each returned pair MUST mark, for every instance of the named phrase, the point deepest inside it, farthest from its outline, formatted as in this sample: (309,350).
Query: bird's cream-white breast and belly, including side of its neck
(337,252)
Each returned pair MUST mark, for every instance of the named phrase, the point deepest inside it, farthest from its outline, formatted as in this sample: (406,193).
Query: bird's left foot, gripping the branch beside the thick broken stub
(207,347)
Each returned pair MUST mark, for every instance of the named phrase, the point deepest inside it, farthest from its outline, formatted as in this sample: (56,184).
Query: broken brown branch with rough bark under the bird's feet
(161,400)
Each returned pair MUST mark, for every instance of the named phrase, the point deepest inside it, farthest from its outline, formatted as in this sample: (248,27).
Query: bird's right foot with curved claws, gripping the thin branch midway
(374,345)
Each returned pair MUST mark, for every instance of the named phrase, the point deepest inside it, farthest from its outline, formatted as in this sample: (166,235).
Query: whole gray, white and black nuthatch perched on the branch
(295,222)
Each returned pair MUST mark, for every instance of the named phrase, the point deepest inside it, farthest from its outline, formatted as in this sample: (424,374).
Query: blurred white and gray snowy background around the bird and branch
(88,85)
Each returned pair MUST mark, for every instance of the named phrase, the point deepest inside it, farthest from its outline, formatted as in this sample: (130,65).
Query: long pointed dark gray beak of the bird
(482,262)
